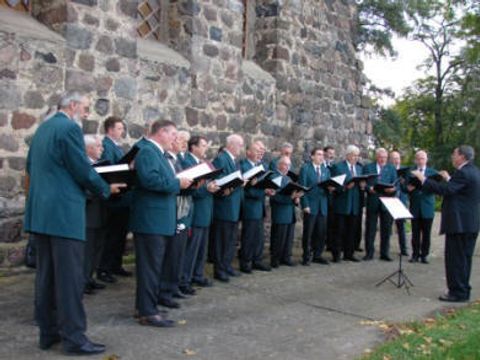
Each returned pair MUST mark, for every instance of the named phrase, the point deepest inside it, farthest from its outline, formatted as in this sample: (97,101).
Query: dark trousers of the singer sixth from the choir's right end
(314,235)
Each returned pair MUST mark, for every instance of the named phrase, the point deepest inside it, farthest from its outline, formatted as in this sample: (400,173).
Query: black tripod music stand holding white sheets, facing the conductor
(398,211)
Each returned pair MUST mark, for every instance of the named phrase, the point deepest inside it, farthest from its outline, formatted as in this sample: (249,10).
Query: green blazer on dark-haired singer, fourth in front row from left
(202,200)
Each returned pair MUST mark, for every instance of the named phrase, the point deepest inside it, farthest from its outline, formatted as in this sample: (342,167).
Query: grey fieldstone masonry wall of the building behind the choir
(298,78)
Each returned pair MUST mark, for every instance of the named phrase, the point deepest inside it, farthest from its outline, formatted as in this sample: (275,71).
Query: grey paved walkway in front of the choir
(295,313)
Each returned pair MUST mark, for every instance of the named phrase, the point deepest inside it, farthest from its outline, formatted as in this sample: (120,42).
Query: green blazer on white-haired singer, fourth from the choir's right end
(346,201)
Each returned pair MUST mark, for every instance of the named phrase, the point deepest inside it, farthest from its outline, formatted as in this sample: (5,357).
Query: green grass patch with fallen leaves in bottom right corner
(454,335)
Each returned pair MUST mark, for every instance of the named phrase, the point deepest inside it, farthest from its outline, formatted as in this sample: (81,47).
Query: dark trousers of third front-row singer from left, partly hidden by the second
(173,264)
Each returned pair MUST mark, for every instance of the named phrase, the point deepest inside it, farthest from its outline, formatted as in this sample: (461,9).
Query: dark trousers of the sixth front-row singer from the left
(252,243)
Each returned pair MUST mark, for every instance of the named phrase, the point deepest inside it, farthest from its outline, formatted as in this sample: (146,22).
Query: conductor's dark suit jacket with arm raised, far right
(461,200)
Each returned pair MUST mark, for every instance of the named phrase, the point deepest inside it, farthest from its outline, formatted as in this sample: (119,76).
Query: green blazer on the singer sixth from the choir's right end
(317,198)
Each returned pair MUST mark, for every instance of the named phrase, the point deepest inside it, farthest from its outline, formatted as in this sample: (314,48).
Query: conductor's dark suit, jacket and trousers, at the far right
(460,224)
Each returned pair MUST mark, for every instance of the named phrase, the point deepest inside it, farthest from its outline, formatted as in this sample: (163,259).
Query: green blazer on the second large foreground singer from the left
(154,205)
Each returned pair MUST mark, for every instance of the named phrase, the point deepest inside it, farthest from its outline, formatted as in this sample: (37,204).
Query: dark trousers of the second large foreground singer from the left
(149,257)
